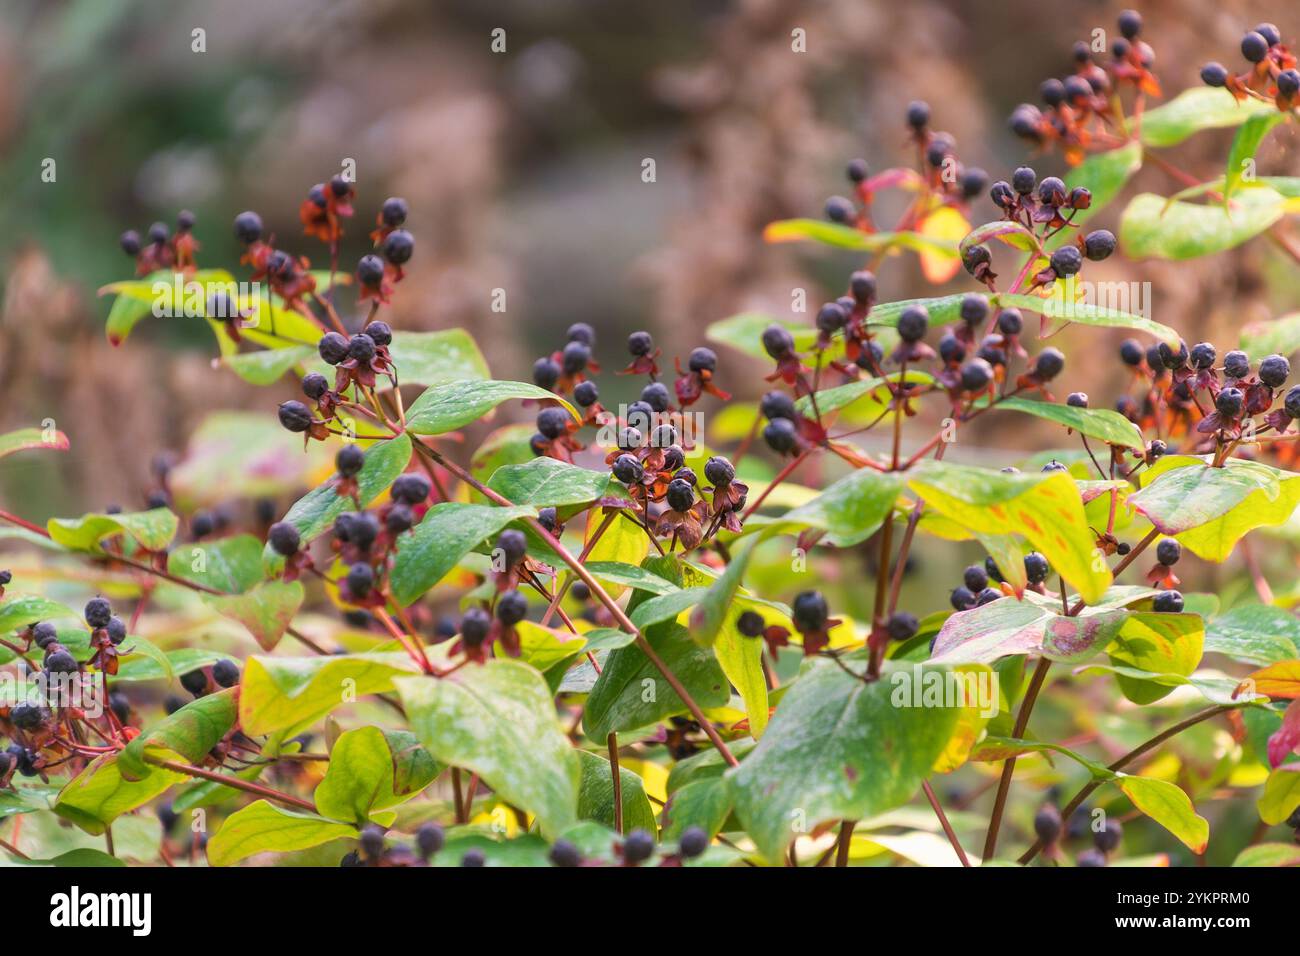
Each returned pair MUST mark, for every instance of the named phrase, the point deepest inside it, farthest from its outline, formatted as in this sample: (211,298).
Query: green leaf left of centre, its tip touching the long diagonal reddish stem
(448,534)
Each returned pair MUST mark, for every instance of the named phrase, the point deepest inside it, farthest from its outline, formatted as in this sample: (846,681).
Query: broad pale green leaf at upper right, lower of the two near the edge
(1159,228)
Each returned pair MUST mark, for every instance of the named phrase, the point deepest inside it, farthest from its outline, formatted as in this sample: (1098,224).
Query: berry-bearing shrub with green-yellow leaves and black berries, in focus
(640,673)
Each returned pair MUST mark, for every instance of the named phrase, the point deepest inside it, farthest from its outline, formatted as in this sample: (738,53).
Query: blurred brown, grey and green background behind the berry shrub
(523,170)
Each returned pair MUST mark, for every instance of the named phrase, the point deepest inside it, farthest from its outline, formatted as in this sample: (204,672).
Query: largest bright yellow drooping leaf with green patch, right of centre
(1045,509)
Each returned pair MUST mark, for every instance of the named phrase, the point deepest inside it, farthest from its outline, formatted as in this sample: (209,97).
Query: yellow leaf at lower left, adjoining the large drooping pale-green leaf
(288,694)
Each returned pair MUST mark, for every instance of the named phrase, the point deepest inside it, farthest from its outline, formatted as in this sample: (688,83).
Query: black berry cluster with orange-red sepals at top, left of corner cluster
(1080,107)
